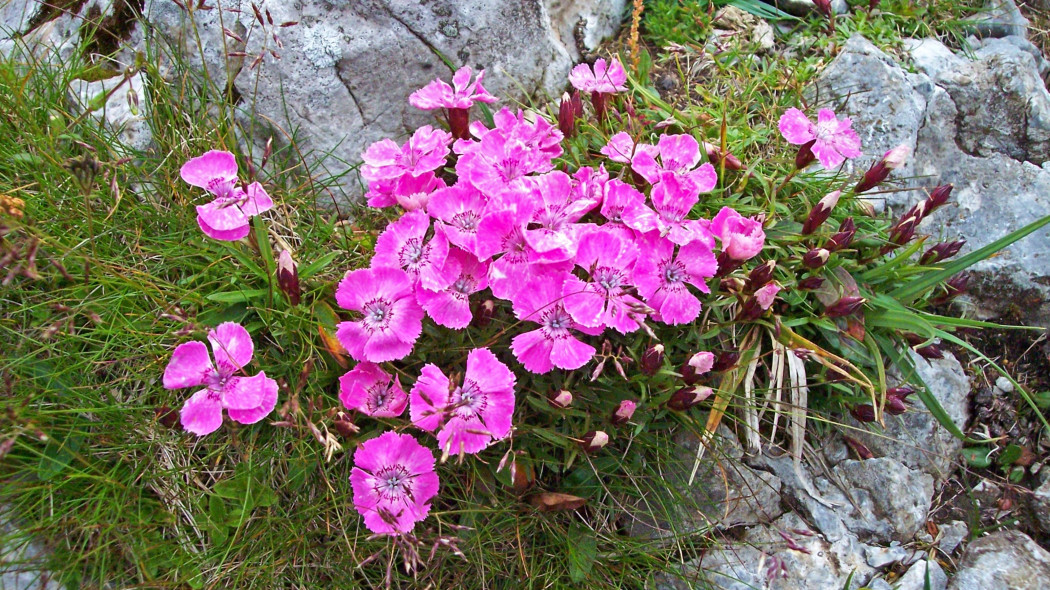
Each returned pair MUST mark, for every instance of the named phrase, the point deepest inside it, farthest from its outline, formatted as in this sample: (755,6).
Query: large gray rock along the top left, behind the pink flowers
(339,79)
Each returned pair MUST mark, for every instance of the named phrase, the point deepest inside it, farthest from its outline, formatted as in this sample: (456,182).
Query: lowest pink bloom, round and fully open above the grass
(394,481)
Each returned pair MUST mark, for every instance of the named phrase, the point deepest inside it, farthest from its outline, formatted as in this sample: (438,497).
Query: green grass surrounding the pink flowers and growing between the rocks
(122,498)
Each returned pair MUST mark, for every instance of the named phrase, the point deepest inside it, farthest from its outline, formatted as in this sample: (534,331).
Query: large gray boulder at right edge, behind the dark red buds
(982,125)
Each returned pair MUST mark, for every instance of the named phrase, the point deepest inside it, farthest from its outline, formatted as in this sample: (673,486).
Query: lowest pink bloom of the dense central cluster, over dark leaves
(554,345)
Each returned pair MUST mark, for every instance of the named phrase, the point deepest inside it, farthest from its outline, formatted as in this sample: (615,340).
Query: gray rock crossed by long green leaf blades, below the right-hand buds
(916,438)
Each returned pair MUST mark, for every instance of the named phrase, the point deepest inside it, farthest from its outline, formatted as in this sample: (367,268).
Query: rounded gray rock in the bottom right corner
(1004,560)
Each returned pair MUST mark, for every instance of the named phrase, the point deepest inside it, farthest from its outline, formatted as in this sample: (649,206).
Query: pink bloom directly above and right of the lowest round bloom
(471,415)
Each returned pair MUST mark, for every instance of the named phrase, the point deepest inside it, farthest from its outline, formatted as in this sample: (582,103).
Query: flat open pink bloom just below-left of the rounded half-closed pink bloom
(663,278)
